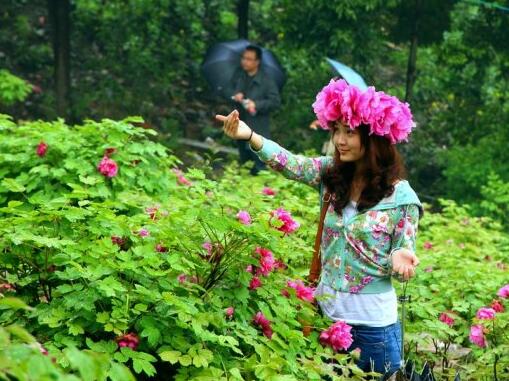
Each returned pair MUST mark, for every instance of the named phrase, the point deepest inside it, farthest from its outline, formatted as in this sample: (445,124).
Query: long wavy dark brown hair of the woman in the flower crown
(382,167)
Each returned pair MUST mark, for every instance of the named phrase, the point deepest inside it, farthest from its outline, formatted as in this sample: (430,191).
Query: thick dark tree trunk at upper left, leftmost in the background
(59,17)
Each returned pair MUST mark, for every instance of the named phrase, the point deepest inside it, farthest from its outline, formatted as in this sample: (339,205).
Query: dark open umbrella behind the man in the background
(223,59)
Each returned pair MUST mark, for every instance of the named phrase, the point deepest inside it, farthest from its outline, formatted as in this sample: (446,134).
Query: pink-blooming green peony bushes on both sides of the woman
(189,275)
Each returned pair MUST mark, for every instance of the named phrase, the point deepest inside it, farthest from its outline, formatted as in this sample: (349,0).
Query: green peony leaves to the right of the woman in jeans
(463,265)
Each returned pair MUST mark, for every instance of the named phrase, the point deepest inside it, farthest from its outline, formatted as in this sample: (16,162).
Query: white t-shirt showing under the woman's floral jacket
(374,310)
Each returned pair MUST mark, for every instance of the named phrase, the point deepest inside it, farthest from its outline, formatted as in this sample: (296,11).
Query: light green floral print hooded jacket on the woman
(355,253)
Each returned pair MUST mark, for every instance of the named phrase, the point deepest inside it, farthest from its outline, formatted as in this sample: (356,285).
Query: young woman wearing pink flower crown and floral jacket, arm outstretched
(371,222)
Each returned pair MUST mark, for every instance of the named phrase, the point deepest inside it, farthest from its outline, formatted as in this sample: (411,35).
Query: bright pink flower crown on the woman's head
(386,115)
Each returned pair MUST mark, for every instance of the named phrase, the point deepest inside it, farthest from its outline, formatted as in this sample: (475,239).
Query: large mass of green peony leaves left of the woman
(58,217)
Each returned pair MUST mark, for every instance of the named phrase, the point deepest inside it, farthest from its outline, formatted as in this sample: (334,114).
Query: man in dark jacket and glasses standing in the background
(254,94)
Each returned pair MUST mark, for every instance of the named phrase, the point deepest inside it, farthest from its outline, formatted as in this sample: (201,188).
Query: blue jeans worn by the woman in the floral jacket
(380,348)
